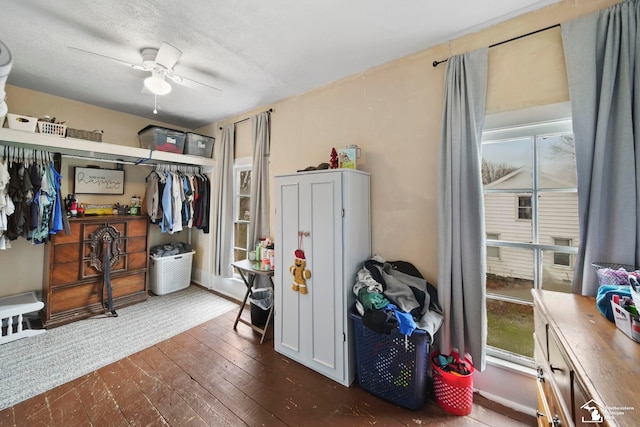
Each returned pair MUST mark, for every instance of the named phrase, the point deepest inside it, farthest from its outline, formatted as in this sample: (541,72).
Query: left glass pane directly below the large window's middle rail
(511,275)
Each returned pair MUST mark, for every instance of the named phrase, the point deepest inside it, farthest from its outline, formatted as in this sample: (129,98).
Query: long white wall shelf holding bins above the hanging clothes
(97,150)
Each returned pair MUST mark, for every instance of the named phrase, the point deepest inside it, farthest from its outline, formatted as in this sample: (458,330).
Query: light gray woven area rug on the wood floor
(31,366)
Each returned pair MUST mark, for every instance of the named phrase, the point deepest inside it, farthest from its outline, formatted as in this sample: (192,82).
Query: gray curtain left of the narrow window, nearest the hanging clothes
(223,202)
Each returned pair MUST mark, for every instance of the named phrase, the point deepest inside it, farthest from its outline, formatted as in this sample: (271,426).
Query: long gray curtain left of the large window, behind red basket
(461,235)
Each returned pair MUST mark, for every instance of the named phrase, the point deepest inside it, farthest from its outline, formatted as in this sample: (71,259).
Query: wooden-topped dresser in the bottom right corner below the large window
(586,366)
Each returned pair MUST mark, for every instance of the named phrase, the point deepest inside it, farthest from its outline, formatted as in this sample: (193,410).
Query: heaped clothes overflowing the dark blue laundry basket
(394,295)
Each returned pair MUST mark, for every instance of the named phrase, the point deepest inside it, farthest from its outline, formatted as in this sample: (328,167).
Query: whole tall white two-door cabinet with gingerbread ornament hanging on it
(327,214)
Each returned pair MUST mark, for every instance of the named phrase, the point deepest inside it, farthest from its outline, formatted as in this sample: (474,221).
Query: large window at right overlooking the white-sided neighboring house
(530,197)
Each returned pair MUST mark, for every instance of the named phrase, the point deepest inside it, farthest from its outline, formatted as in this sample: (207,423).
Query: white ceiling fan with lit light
(160,63)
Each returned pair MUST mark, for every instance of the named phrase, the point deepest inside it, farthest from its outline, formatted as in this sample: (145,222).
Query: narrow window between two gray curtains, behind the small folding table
(241,210)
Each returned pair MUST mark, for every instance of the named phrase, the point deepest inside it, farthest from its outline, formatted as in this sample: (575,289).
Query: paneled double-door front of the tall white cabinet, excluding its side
(309,327)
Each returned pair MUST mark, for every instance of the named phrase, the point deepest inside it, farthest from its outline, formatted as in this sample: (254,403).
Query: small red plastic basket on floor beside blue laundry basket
(453,393)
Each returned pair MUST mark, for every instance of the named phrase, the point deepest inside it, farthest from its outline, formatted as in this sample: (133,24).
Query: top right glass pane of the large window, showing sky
(557,162)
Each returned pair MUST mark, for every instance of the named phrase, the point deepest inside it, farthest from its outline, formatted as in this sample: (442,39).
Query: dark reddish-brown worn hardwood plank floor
(212,375)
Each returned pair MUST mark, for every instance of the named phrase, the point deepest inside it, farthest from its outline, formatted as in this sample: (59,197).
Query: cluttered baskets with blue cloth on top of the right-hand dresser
(618,296)
